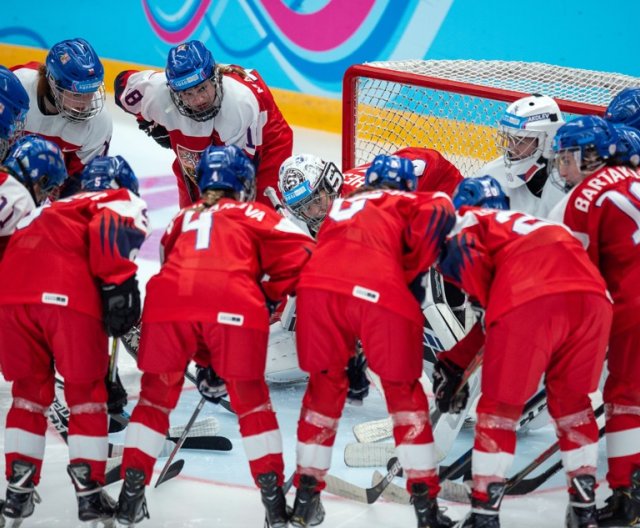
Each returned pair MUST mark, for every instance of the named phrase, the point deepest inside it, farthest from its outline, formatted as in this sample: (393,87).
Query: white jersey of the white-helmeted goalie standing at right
(520,198)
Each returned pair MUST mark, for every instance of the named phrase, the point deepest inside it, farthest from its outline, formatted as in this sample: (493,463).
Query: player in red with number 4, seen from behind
(220,247)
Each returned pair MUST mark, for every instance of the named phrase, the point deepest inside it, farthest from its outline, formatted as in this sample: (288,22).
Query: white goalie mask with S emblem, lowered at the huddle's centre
(308,186)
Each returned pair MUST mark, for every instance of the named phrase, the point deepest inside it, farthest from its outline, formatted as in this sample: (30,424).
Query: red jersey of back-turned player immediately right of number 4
(374,244)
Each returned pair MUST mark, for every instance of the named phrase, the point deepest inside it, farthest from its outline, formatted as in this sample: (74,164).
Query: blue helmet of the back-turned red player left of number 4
(109,172)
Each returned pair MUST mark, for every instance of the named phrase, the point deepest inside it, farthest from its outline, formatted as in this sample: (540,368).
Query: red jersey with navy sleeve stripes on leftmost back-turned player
(63,250)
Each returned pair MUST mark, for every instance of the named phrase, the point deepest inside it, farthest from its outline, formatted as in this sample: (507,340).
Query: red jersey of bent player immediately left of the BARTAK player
(503,259)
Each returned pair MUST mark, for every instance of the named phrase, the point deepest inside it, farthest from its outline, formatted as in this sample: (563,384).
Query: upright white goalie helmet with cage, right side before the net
(525,134)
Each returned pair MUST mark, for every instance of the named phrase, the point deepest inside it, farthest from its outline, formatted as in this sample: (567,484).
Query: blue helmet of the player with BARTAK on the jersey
(590,138)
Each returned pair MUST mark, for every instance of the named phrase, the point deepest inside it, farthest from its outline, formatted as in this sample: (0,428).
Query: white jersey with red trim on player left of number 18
(80,142)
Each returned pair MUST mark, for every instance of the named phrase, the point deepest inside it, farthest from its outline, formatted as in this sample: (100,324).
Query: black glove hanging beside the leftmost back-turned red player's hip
(120,306)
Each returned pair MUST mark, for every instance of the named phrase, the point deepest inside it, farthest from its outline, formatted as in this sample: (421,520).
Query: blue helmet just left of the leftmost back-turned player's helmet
(38,164)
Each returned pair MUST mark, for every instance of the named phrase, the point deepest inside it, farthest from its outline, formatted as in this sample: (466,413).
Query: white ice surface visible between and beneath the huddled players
(215,489)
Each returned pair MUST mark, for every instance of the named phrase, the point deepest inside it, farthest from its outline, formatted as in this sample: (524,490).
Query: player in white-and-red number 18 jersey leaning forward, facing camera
(196,103)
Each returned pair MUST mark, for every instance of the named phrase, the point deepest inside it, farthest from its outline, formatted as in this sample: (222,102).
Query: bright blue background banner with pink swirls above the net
(306,45)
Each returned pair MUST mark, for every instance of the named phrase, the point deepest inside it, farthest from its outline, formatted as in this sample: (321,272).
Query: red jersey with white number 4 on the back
(215,261)
